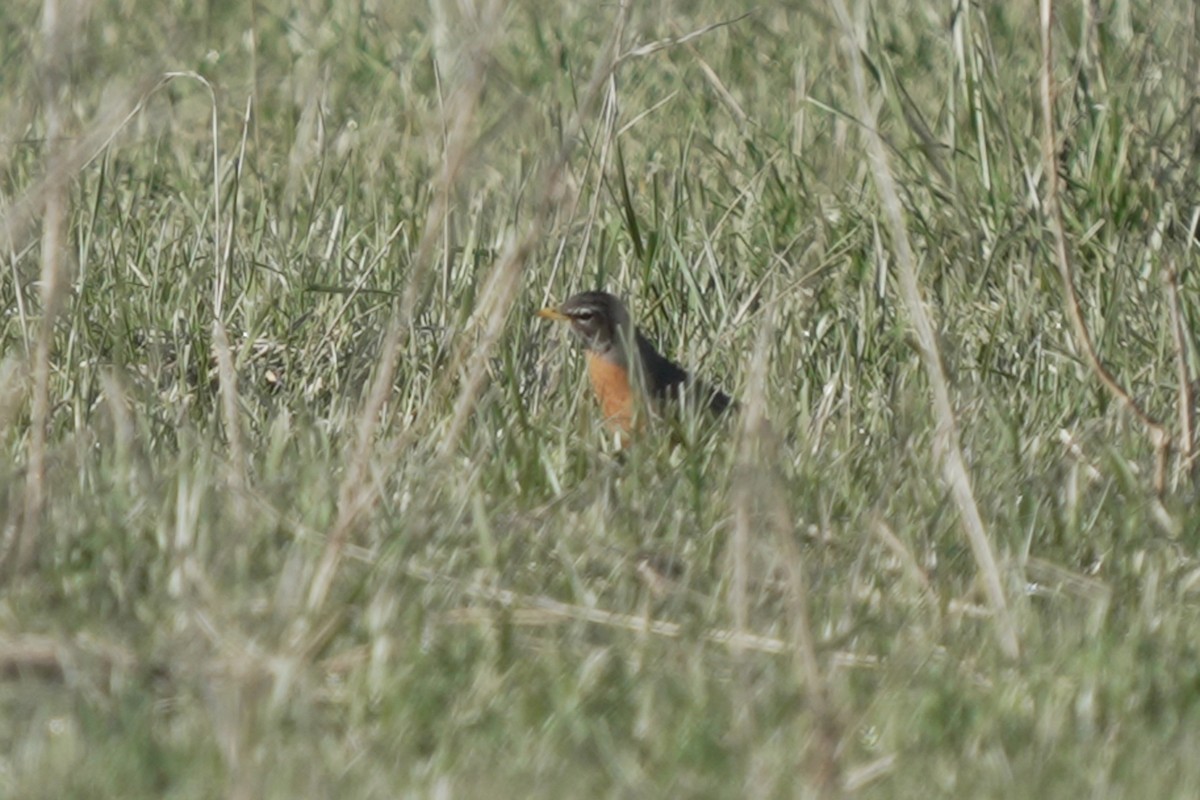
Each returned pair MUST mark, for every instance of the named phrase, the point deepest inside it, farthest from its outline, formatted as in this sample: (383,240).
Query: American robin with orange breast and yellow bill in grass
(623,363)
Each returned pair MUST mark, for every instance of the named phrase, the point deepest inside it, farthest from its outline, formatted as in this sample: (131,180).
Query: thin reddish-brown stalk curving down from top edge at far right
(1159,436)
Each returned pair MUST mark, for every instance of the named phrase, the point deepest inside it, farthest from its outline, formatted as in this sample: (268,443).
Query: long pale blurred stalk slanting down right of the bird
(947,448)
